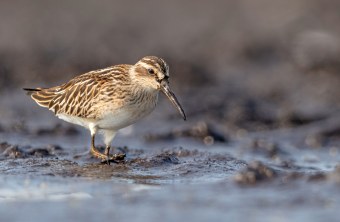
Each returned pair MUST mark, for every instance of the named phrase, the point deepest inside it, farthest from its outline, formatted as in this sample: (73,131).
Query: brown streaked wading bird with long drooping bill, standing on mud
(109,99)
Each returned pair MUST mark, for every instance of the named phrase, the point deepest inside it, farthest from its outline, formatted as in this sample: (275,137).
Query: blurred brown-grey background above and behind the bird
(251,64)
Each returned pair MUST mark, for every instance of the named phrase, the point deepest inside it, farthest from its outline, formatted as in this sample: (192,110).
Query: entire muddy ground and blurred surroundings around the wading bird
(258,81)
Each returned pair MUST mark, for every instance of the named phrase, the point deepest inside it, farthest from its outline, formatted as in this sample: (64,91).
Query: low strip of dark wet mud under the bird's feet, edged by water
(141,165)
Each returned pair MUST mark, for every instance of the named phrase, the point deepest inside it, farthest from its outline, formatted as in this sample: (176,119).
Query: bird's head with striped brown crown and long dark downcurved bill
(152,73)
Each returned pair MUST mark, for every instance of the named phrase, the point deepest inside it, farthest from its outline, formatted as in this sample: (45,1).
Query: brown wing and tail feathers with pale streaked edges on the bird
(77,96)
